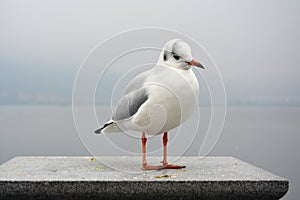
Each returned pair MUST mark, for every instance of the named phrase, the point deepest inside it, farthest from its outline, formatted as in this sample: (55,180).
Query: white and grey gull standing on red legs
(158,100)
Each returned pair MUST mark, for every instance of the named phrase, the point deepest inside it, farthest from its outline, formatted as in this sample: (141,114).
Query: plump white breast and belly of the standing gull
(172,99)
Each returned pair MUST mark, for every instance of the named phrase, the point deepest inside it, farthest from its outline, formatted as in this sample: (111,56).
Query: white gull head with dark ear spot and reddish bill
(178,54)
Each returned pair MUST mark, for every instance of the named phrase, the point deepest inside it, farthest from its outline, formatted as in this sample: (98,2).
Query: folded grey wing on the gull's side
(134,96)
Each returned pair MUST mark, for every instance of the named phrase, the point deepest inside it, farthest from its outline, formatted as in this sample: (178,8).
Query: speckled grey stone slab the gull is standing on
(86,178)
